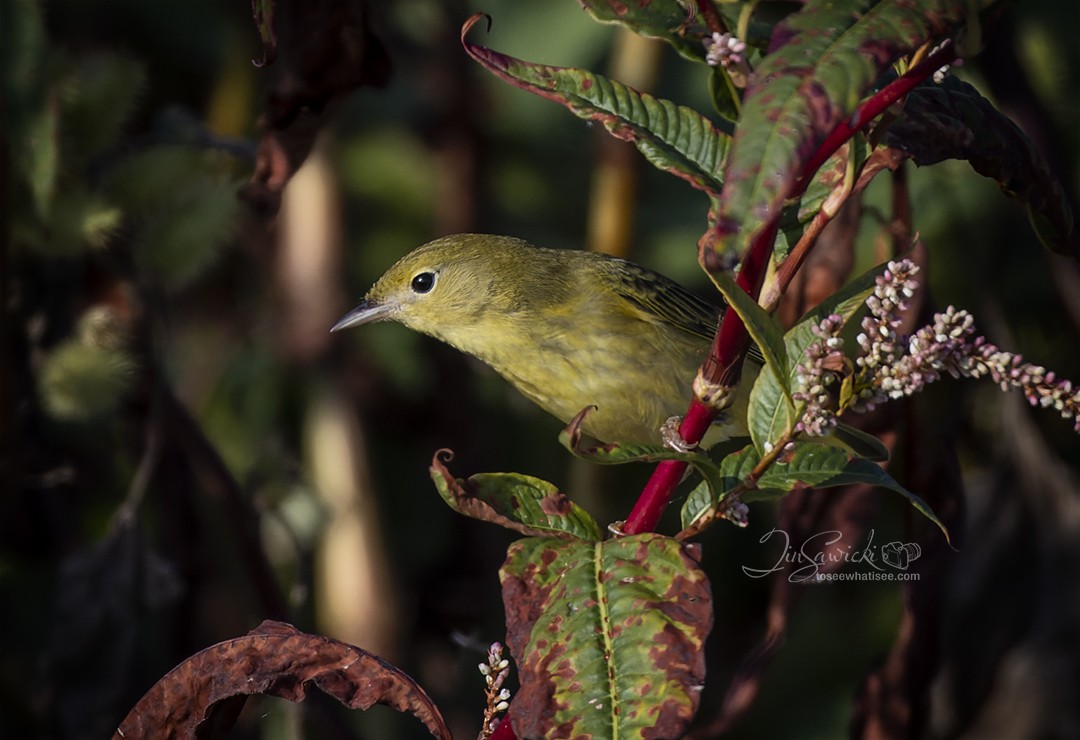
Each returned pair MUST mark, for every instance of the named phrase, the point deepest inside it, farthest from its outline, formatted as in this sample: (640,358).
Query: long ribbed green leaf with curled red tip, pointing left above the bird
(674,139)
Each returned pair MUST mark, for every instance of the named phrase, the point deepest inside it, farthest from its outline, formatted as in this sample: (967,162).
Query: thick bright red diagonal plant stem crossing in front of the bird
(732,338)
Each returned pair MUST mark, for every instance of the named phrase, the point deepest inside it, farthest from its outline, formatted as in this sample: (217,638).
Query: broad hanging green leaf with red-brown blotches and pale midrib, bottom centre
(609,637)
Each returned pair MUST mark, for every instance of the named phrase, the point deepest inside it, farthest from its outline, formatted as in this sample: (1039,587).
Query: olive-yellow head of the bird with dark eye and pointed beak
(447,285)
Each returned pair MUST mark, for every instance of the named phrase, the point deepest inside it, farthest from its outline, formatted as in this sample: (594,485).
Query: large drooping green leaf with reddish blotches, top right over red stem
(823,60)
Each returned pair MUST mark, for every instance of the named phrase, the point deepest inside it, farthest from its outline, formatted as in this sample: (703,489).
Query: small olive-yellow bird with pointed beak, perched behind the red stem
(568,329)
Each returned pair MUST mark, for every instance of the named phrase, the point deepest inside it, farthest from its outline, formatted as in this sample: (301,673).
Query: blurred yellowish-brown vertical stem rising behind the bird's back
(636,61)
